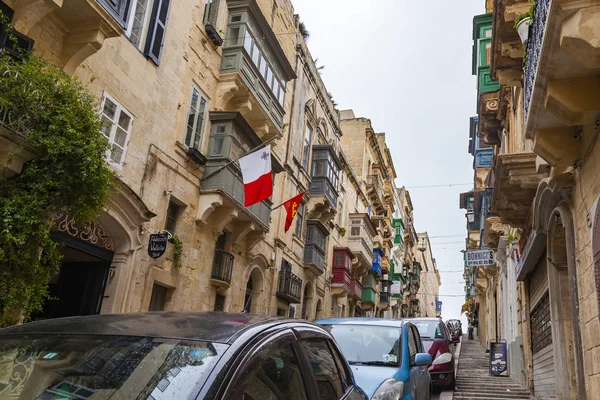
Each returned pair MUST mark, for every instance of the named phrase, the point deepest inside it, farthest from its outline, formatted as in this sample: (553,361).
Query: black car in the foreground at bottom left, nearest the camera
(171,355)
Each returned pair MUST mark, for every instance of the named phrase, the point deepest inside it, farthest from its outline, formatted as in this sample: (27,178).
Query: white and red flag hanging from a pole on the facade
(257,177)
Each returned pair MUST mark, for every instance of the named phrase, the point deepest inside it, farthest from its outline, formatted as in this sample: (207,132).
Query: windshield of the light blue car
(367,344)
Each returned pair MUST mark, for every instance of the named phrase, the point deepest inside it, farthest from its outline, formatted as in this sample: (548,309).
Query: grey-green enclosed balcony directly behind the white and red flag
(222,189)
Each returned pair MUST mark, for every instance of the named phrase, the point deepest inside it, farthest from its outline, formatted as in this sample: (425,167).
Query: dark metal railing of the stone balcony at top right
(534,47)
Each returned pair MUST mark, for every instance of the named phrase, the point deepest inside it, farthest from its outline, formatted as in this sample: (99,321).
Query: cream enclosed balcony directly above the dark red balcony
(360,241)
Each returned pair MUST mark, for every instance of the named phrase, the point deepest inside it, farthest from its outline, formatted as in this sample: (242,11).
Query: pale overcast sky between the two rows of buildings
(406,65)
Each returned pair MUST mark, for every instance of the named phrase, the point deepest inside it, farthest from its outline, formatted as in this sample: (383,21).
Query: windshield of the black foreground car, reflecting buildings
(102,367)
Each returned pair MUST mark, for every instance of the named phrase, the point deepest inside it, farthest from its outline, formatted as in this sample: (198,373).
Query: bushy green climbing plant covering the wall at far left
(57,119)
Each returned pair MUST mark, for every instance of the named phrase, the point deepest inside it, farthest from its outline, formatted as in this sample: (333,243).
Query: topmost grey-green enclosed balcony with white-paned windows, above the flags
(257,93)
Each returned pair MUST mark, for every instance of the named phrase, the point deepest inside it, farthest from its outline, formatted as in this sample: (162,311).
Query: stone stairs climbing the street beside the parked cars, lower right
(473,381)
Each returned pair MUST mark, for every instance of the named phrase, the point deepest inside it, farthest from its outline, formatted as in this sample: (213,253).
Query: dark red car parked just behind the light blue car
(440,345)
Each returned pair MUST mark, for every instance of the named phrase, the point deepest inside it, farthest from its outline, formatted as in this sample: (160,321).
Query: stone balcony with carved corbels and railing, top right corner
(561,83)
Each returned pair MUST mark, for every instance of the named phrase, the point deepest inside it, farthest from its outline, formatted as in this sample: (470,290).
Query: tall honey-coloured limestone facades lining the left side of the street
(185,88)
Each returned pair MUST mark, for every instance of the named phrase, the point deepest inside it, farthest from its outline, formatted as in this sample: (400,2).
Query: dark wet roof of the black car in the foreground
(206,326)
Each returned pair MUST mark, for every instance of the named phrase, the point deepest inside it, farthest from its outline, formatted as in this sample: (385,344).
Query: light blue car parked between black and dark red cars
(386,356)
